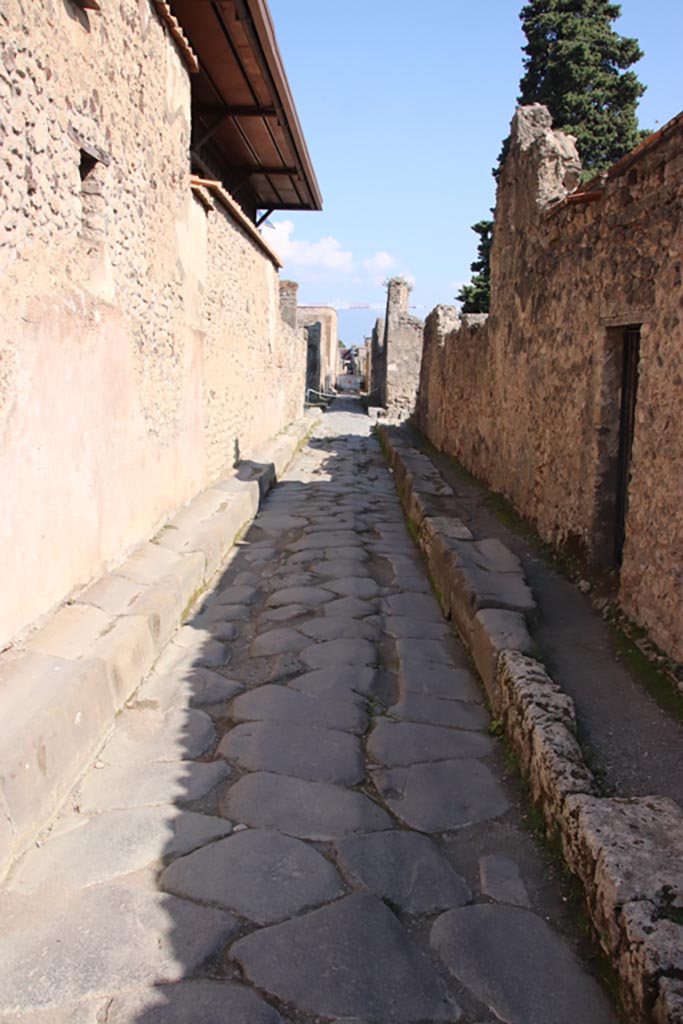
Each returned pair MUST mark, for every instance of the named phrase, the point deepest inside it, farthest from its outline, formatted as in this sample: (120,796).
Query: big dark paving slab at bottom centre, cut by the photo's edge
(347,960)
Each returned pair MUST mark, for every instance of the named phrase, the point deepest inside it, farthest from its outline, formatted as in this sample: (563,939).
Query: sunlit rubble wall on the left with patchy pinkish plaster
(142,345)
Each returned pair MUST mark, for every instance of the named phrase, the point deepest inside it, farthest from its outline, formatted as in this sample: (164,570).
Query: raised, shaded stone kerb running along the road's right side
(627,854)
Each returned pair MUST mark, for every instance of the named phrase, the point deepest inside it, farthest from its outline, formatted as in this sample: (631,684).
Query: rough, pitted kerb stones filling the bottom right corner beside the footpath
(629,858)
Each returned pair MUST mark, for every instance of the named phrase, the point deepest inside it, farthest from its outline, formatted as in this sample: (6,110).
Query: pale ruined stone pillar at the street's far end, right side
(403,352)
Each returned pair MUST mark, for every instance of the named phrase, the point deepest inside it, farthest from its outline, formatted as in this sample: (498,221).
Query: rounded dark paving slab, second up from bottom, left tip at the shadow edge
(258,874)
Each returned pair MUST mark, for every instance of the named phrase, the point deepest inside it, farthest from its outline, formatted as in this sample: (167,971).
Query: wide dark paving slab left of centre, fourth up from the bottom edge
(302,751)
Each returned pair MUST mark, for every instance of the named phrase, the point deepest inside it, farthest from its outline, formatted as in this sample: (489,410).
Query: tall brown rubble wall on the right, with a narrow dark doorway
(529,400)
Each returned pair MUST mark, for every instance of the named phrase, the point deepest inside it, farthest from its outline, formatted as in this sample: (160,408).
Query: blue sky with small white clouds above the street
(404,106)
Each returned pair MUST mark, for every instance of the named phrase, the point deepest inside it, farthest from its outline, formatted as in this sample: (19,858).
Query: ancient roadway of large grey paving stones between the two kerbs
(305,815)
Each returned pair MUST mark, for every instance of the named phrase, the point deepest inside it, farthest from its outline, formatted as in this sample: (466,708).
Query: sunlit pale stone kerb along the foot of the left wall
(62,689)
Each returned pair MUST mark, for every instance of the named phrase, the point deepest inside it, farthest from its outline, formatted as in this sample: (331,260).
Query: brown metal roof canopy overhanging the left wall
(246,131)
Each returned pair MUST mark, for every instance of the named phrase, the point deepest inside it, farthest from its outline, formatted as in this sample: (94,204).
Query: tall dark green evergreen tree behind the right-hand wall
(577,66)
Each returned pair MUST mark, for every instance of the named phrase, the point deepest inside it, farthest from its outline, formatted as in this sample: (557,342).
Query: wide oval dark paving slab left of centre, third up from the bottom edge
(306,810)
